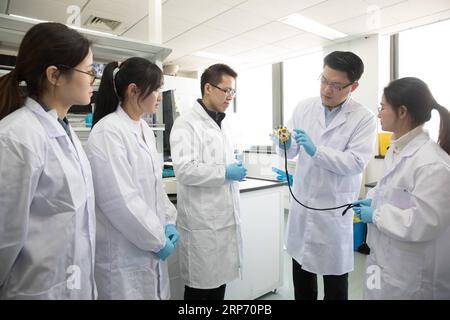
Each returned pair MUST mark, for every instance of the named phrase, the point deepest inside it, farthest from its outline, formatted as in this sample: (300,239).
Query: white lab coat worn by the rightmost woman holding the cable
(410,234)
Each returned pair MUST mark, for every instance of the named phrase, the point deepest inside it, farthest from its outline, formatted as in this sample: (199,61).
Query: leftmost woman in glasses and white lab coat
(47,222)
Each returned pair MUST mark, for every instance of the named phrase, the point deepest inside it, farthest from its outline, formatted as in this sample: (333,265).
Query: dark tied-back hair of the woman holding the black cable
(415,95)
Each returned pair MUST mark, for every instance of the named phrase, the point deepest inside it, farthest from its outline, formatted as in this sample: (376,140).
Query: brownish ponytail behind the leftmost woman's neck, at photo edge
(11,96)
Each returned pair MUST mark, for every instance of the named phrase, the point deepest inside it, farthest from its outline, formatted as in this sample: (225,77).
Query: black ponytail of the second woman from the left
(107,98)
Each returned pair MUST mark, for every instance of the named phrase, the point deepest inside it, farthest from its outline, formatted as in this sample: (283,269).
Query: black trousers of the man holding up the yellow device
(305,284)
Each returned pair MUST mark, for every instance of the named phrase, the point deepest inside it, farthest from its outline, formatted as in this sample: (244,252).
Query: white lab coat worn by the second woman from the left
(132,209)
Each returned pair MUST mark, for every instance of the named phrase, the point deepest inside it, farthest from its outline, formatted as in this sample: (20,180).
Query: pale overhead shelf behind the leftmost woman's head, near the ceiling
(105,48)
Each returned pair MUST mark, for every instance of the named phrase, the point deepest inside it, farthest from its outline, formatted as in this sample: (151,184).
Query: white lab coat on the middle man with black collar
(208,205)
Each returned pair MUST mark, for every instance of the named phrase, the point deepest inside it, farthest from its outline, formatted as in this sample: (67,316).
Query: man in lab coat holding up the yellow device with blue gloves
(334,138)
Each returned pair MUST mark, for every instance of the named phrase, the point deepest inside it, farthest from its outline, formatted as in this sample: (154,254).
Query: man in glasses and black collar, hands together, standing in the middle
(207,189)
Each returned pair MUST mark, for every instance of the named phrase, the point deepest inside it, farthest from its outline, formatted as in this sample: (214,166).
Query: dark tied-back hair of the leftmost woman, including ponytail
(45,44)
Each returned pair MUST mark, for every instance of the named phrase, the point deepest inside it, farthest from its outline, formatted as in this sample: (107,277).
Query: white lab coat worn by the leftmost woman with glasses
(47,219)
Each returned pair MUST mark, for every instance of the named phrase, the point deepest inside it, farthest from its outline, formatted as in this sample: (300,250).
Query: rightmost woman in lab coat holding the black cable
(408,211)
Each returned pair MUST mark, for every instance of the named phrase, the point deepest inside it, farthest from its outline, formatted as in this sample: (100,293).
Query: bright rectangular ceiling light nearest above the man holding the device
(300,22)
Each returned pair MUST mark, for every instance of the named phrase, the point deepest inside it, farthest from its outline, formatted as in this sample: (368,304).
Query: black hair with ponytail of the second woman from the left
(146,75)
